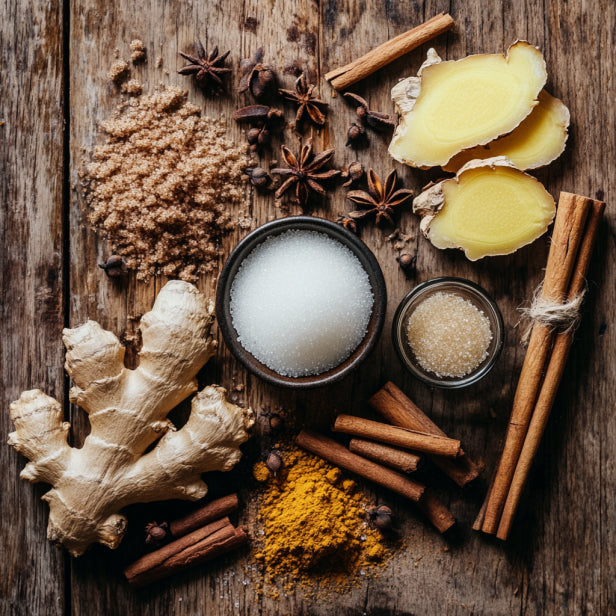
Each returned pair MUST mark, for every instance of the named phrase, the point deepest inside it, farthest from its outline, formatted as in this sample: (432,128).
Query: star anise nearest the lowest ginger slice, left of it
(380,200)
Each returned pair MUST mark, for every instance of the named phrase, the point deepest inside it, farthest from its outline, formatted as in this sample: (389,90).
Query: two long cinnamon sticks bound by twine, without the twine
(573,239)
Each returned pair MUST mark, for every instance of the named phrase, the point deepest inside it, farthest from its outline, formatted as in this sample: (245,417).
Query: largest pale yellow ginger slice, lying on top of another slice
(452,106)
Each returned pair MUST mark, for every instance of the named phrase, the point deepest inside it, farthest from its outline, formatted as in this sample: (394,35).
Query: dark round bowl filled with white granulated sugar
(301,302)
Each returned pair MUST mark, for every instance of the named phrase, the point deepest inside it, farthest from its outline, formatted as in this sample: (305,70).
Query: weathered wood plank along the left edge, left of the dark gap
(31,279)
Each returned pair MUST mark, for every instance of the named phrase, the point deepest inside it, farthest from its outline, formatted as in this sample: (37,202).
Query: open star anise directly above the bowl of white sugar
(304,173)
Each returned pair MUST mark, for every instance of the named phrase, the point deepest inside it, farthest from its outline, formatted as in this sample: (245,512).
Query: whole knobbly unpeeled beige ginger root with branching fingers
(127,411)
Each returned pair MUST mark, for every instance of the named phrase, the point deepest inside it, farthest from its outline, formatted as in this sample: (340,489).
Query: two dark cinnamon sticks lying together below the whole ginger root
(198,537)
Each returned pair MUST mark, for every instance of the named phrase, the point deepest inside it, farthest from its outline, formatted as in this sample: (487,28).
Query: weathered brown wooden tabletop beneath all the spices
(561,557)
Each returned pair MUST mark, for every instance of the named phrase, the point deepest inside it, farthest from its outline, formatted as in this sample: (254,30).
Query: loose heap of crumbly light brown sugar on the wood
(166,185)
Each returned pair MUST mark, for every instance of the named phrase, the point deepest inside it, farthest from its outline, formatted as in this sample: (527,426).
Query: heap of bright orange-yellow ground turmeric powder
(315,525)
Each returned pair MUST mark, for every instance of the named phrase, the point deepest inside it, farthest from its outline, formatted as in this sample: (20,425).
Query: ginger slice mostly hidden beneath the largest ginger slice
(539,140)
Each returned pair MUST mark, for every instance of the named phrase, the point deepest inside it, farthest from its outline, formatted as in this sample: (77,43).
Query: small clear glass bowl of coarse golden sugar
(448,332)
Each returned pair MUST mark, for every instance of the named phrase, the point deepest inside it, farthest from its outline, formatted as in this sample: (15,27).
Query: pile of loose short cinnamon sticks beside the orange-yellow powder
(382,447)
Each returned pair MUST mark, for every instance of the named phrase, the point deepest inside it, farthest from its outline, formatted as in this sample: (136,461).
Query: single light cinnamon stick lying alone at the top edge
(345,76)
